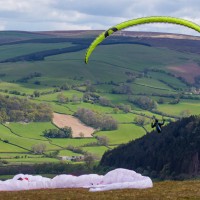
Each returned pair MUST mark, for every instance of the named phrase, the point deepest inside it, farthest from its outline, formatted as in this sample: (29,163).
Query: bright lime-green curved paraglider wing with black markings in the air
(134,22)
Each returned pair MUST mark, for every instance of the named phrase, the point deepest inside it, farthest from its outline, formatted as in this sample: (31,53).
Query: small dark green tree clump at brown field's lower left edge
(65,132)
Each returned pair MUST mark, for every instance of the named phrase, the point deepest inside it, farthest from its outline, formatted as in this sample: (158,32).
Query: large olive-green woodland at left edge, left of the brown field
(14,109)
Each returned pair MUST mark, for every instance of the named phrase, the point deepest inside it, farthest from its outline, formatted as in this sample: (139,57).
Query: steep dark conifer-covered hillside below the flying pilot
(174,153)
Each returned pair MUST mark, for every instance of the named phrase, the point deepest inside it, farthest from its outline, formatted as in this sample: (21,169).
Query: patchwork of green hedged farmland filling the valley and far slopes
(46,65)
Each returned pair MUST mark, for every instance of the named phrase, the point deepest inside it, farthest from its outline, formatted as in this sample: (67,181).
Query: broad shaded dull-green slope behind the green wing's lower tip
(110,64)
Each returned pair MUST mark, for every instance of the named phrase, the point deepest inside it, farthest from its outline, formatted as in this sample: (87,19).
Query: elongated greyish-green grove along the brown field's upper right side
(96,119)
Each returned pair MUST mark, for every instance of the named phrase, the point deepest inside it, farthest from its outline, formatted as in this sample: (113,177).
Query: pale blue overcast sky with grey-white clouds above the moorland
(45,15)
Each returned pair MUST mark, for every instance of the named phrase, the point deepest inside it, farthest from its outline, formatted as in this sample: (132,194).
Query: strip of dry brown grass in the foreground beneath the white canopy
(161,190)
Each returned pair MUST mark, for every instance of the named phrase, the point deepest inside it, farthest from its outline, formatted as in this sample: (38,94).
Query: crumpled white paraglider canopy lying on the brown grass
(115,179)
